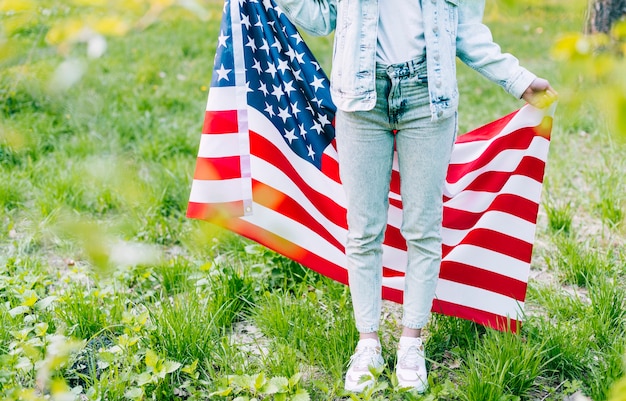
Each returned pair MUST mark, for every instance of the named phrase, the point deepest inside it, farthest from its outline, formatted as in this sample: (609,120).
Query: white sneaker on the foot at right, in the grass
(411,366)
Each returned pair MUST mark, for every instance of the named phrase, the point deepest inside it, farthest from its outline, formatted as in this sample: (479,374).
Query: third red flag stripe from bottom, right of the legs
(495,241)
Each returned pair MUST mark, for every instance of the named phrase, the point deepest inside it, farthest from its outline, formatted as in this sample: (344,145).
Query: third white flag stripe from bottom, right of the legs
(497,221)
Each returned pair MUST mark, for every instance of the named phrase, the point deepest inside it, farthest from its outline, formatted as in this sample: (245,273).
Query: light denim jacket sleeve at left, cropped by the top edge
(316,17)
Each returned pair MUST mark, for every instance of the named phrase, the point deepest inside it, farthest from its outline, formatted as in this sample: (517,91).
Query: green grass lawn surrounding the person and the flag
(94,243)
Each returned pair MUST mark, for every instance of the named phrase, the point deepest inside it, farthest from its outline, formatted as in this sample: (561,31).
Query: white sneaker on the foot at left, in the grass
(367,355)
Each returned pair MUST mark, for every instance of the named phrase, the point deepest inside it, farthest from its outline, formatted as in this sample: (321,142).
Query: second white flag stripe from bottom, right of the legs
(489,260)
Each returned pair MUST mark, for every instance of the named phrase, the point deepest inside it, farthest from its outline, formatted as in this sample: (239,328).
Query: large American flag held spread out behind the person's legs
(267,169)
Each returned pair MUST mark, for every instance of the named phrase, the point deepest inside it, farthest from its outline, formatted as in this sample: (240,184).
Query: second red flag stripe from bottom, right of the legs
(480,278)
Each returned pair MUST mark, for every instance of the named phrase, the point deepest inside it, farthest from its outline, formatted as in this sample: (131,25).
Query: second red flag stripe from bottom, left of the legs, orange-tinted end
(281,203)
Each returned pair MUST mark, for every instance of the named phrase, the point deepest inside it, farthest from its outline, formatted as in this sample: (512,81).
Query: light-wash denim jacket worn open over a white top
(452,28)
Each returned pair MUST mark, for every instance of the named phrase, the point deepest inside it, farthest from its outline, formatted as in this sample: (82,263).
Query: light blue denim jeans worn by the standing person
(365,142)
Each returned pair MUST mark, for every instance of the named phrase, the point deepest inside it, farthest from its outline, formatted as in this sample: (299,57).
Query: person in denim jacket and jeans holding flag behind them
(394,84)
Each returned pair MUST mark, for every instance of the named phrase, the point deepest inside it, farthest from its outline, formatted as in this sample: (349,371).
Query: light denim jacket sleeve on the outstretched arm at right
(477,49)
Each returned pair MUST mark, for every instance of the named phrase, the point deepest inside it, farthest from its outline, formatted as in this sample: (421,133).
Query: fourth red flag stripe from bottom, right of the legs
(511,204)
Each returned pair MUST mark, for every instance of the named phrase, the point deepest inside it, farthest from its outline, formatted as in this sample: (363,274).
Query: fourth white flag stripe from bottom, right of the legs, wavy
(479,201)
